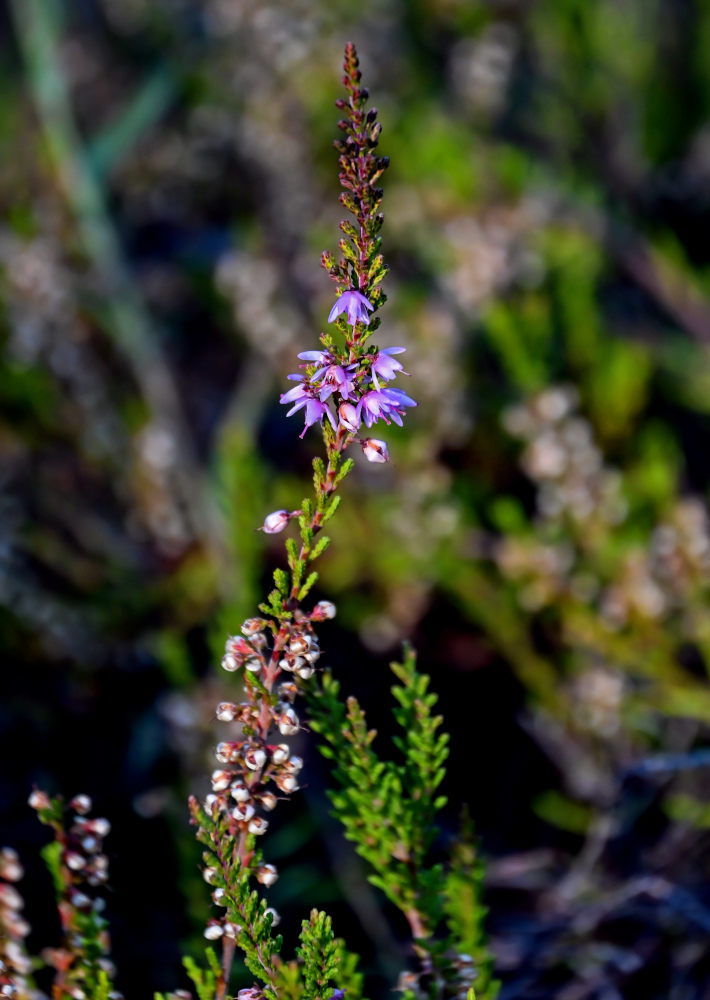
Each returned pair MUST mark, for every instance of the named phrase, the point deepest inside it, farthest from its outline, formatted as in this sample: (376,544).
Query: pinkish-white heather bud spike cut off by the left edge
(14,962)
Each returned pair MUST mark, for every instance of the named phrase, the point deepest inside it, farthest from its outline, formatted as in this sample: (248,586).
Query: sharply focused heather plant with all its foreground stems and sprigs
(387,808)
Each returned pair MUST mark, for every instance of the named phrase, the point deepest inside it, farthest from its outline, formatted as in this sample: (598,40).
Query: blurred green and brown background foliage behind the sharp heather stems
(167,182)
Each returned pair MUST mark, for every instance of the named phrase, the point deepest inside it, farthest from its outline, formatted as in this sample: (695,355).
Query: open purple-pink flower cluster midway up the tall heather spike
(355,388)
